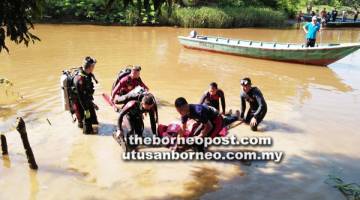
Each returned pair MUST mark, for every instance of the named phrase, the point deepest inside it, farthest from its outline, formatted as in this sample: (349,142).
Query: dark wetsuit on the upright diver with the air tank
(83,100)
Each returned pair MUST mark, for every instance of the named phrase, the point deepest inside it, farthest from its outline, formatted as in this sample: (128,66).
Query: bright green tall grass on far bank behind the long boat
(213,17)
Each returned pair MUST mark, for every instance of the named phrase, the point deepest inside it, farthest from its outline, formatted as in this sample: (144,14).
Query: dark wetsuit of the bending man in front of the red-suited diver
(134,119)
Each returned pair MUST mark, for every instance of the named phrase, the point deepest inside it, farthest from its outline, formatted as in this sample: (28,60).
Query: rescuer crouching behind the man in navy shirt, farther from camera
(213,96)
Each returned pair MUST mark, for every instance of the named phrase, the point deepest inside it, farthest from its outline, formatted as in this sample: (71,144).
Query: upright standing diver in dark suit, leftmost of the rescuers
(83,104)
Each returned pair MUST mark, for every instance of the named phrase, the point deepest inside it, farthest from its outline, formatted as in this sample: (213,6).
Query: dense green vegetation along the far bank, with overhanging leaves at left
(16,16)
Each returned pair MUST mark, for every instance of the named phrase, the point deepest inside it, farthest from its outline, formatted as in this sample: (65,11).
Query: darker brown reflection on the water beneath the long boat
(284,80)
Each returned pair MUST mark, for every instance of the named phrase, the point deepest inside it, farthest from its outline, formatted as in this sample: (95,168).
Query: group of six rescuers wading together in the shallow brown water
(133,99)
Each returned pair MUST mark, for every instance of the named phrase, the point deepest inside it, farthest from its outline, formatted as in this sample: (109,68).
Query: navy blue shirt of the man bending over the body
(200,113)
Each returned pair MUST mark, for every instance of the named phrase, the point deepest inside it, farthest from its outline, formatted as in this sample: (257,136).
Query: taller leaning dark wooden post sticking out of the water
(21,128)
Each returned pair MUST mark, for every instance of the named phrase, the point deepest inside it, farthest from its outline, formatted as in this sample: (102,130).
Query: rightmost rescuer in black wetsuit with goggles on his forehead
(258,107)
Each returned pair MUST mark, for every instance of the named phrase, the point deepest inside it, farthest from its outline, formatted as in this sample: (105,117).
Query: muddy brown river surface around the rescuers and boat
(313,114)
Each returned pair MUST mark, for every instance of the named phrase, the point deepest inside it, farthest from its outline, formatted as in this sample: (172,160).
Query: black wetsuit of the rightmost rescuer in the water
(258,107)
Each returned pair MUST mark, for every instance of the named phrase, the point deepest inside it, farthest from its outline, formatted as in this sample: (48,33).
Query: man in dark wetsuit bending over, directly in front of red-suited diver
(133,113)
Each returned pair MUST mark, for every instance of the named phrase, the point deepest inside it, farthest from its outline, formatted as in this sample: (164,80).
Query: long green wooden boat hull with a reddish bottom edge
(303,55)
